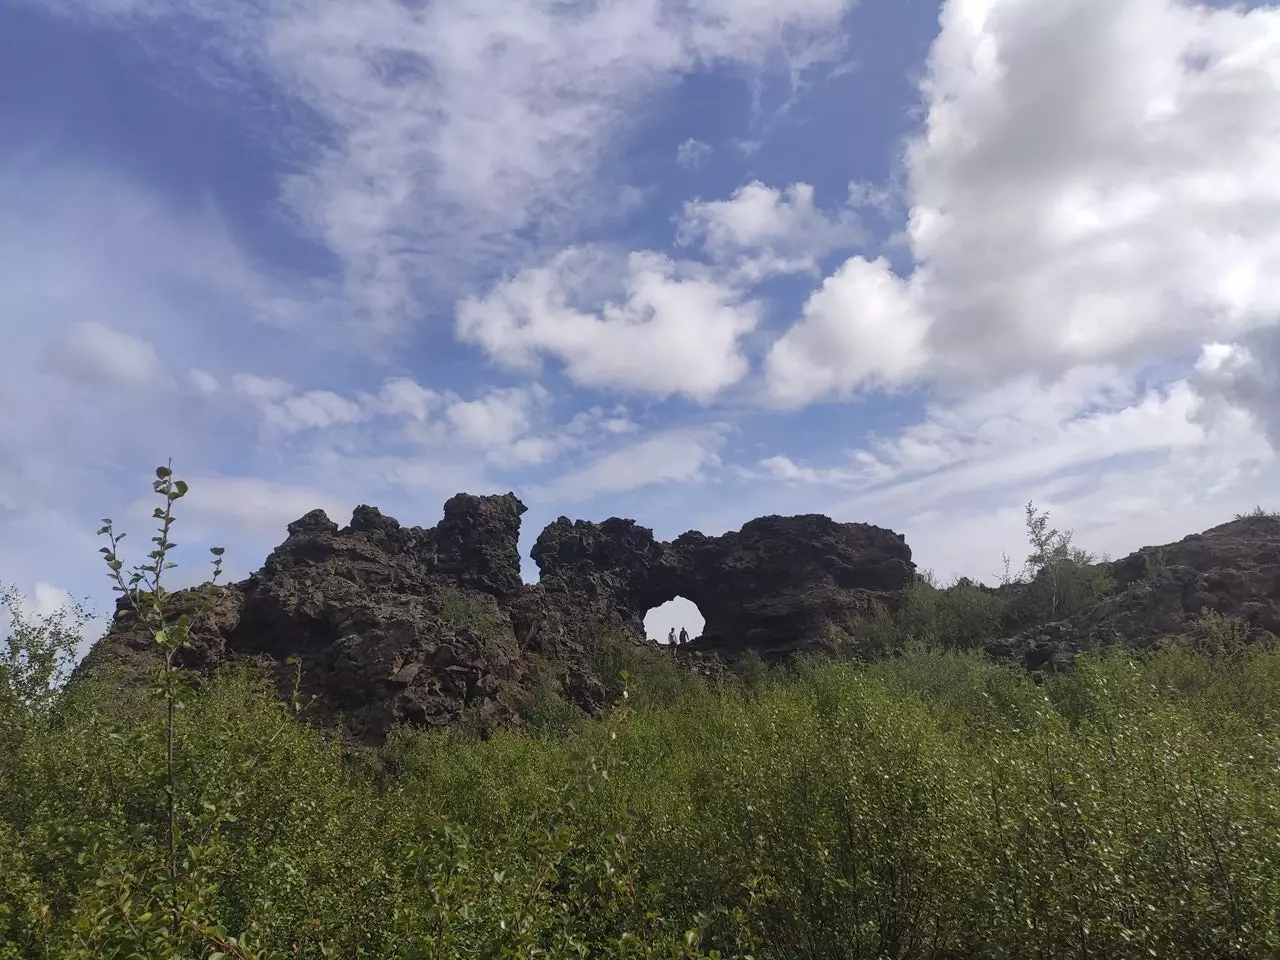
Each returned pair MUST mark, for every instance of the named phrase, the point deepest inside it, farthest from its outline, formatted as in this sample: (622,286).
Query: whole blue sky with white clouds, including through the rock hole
(689,262)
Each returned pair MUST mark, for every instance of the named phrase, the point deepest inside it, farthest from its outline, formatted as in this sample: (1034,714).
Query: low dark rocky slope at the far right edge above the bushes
(1233,570)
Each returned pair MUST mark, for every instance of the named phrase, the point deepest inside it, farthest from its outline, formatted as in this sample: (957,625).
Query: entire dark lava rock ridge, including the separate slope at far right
(409,625)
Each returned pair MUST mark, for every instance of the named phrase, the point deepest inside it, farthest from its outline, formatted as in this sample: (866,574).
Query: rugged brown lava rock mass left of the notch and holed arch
(391,624)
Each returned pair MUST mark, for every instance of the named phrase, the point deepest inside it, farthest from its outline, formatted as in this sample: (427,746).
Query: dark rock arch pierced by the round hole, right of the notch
(778,586)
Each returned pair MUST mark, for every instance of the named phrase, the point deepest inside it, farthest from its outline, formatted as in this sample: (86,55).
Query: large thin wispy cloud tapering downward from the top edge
(450,127)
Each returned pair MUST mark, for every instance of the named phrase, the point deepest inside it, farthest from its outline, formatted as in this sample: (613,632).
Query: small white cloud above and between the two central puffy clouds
(762,231)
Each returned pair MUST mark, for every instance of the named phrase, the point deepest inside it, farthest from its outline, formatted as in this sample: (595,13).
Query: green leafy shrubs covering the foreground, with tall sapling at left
(930,804)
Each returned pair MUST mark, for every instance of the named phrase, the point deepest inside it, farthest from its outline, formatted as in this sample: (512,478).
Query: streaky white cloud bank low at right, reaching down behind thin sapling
(1123,467)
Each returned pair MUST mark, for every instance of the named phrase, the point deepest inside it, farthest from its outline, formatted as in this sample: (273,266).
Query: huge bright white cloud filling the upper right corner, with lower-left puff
(1094,185)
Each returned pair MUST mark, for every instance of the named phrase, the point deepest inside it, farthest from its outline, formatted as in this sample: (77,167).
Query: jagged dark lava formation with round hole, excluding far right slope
(397,624)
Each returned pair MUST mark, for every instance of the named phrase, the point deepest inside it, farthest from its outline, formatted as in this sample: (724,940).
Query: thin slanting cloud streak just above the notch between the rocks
(682,456)
